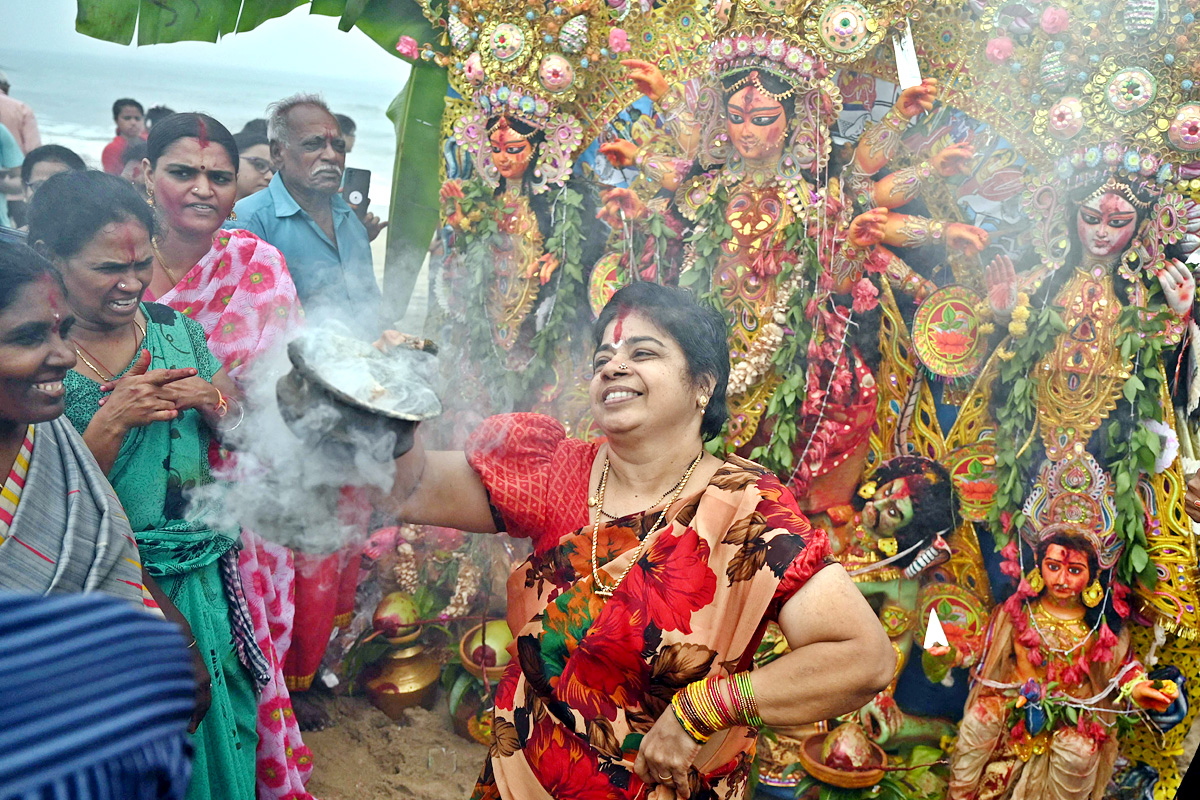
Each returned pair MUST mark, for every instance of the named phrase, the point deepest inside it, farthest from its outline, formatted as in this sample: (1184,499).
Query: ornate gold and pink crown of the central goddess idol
(795,41)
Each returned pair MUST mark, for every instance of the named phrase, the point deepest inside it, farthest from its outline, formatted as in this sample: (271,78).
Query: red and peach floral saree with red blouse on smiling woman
(591,675)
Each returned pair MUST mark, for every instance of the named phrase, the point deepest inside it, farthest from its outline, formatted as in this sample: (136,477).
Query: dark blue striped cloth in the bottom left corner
(95,699)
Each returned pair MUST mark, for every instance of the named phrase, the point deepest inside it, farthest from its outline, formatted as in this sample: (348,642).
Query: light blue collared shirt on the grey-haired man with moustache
(339,278)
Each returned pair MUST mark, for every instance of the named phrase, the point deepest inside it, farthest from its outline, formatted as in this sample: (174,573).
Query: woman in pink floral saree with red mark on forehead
(238,288)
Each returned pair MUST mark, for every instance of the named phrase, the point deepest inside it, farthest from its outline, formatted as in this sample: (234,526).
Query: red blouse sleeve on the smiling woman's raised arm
(536,477)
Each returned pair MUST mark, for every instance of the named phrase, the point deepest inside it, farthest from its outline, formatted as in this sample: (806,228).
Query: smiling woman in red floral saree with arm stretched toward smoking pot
(623,617)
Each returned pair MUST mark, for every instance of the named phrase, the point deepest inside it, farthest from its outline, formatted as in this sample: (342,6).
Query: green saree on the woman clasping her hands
(154,471)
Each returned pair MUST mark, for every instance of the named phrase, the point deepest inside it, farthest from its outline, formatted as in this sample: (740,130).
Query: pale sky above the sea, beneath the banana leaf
(287,44)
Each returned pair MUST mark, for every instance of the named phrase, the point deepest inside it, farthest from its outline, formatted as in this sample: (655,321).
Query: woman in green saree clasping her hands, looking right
(147,396)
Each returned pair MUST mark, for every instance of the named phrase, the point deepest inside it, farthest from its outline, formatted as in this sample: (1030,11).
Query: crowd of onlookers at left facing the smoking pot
(129,317)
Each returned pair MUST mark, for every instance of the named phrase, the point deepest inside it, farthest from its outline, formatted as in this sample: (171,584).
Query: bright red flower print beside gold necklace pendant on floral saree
(673,581)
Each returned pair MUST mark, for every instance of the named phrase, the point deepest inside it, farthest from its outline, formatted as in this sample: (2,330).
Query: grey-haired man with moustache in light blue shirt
(302,214)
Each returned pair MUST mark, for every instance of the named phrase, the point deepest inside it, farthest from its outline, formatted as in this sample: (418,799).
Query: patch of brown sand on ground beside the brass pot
(365,756)
